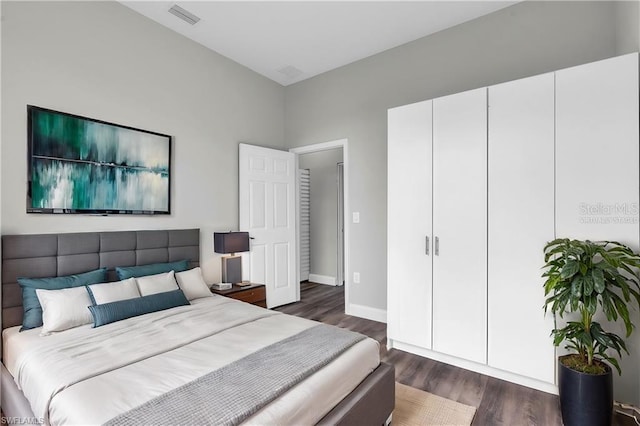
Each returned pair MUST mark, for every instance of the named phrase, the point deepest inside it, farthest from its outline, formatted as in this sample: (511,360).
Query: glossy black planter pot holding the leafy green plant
(585,399)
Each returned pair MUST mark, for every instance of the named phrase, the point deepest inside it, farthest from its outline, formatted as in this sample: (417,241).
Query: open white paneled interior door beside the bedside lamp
(267,192)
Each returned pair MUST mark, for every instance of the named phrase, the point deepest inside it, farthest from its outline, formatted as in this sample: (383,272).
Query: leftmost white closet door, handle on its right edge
(409,225)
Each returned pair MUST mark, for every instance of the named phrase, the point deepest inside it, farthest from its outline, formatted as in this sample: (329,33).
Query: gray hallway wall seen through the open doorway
(324,209)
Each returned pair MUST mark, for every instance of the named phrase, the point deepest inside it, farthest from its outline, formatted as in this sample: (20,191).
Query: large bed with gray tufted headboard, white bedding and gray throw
(89,375)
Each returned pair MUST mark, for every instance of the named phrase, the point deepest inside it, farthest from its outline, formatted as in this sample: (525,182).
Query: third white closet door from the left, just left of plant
(521,222)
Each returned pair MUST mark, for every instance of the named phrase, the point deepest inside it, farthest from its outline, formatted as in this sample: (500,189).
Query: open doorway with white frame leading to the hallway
(330,160)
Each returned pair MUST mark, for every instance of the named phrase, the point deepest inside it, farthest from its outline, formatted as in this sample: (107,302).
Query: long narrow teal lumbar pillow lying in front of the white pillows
(123,309)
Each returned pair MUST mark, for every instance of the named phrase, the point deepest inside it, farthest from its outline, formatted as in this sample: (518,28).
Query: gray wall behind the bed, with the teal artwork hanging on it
(102,60)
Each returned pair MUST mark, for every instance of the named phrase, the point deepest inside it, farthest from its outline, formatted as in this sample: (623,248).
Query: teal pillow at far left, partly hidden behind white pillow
(32,316)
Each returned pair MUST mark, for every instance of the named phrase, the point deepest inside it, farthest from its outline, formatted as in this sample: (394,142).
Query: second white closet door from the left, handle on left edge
(460,225)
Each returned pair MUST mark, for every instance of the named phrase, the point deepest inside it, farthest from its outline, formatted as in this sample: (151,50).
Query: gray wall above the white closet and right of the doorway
(526,39)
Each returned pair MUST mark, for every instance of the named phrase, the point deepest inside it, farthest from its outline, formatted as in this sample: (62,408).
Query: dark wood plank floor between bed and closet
(498,402)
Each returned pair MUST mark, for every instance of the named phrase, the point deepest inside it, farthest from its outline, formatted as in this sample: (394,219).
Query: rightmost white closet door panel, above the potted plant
(597,151)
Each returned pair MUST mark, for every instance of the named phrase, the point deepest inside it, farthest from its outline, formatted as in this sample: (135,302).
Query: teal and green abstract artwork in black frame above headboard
(83,165)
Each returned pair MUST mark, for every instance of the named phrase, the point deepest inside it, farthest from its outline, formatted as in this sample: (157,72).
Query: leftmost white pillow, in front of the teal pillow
(64,309)
